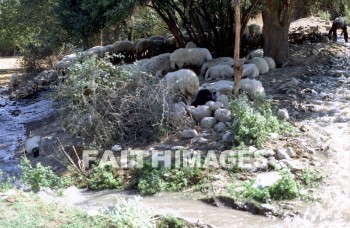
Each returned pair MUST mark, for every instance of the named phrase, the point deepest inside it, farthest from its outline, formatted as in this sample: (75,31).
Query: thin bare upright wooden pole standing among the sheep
(238,68)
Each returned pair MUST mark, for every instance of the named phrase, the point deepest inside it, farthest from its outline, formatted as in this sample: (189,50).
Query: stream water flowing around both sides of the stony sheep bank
(330,121)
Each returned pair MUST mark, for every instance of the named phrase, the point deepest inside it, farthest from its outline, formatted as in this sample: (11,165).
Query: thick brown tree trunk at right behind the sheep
(276,17)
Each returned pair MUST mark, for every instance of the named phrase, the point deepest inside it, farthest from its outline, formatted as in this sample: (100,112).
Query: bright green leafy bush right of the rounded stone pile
(255,120)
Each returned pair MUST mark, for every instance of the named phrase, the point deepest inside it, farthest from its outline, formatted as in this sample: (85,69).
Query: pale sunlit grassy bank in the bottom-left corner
(28,210)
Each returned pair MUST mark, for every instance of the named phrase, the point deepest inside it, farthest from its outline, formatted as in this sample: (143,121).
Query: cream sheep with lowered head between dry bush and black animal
(184,82)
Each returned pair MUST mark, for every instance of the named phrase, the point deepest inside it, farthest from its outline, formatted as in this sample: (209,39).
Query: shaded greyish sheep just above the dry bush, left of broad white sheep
(159,64)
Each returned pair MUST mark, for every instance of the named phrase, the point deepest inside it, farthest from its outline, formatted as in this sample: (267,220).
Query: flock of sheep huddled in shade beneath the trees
(182,67)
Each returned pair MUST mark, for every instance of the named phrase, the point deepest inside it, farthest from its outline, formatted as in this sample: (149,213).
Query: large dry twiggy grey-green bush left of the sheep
(104,104)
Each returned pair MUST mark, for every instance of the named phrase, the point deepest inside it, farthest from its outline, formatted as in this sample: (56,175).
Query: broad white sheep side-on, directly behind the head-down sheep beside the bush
(189,56)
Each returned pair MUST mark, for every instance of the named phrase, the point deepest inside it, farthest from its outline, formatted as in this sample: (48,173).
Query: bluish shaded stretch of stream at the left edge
(13,117)
